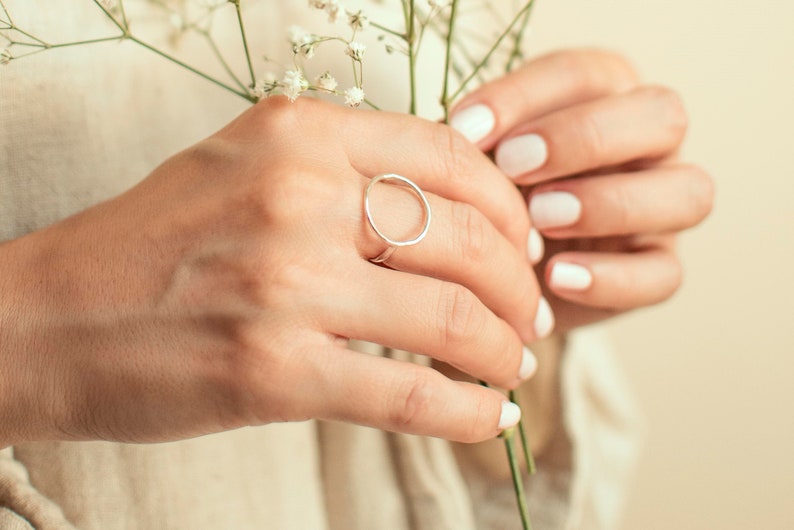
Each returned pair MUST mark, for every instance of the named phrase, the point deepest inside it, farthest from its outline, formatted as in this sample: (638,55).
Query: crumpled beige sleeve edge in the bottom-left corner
(21,506)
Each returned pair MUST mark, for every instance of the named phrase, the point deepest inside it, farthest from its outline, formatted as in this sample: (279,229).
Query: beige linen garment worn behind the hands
(80,125)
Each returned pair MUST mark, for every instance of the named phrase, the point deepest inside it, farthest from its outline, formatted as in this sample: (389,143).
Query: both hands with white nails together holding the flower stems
(222,290)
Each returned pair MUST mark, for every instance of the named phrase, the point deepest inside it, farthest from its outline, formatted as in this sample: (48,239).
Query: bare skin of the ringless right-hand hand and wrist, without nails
(636,198)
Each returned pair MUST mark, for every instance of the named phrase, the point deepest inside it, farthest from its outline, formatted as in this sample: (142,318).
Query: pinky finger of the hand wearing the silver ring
(402,397)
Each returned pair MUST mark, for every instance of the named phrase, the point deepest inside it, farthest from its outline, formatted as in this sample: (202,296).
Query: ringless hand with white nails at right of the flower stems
(596,153)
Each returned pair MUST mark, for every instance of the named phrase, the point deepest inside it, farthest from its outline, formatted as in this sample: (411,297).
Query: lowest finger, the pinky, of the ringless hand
(614,281)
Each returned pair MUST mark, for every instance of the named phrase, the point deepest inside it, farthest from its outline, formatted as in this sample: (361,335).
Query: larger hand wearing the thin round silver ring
(221,291)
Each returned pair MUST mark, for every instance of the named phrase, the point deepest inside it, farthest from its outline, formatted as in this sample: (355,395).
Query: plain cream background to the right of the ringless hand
(713,368)
